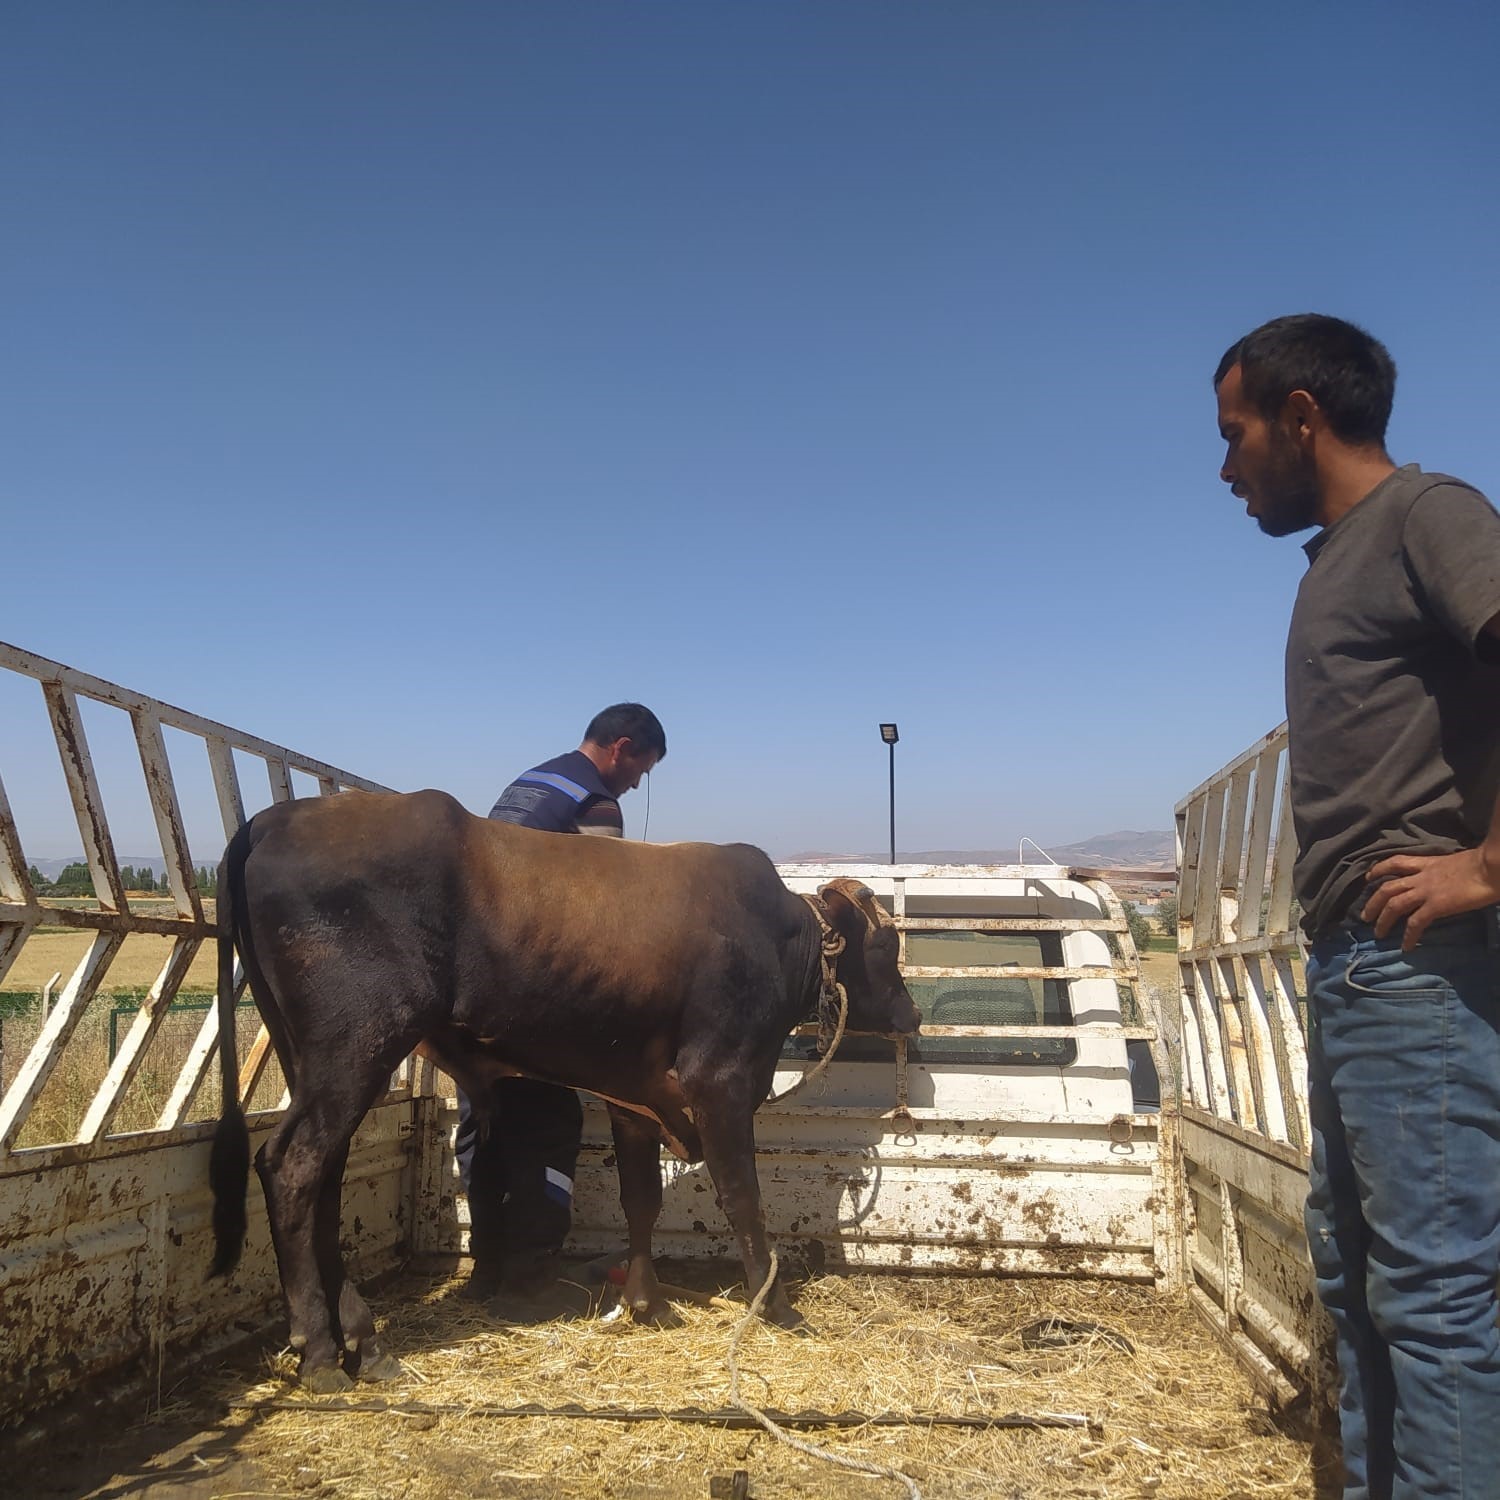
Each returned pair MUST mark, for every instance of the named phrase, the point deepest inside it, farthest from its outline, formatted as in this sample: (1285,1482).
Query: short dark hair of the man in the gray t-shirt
(1348,373)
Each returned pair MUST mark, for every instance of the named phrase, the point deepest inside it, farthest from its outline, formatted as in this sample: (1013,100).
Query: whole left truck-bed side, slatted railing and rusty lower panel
(106,1234)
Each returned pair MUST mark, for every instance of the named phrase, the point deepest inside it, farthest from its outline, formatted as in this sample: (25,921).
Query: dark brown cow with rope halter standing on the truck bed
(661,977)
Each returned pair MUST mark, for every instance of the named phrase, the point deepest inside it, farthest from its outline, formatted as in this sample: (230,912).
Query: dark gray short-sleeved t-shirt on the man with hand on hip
(1393,692)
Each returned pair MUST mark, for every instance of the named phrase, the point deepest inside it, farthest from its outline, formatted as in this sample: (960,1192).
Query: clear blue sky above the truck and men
(404,383)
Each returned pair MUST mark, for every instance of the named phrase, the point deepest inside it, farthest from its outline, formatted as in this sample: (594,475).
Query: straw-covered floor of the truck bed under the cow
(1156,1408)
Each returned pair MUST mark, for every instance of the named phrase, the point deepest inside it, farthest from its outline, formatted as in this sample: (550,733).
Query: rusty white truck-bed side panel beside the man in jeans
(1246,1109)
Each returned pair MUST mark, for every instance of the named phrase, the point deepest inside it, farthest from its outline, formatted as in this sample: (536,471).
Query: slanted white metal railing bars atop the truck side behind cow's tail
(23,911)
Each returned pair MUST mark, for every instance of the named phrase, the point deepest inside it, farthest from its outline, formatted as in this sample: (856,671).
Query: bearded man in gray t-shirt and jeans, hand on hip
(1394,713)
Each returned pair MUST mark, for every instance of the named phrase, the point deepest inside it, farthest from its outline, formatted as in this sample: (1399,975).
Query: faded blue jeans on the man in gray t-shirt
(1405,1202)
